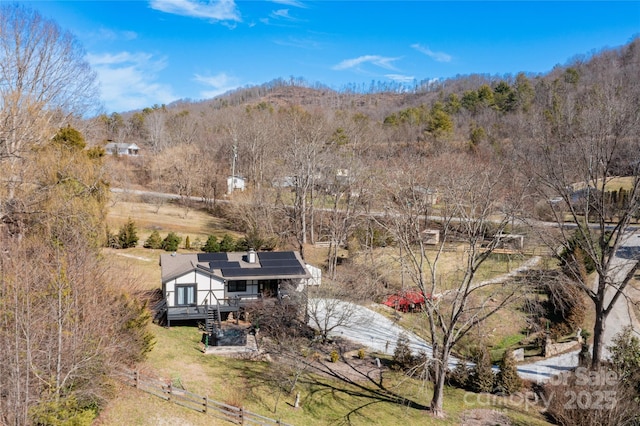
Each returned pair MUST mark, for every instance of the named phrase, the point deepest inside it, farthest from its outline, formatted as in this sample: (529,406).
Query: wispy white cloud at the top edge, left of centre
(217,10)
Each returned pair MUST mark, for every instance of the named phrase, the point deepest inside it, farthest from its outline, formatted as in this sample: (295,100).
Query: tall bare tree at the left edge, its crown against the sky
(44,82)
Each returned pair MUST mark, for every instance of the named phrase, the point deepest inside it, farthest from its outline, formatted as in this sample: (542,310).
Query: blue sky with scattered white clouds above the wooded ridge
(159,51)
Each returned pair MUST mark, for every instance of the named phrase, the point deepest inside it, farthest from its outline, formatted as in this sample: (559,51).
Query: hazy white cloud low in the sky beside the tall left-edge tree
(128,80)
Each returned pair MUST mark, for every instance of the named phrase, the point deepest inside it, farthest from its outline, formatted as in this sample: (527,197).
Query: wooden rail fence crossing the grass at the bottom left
(202,404)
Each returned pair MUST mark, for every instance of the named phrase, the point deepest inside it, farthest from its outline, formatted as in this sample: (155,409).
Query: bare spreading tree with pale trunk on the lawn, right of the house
(472,214)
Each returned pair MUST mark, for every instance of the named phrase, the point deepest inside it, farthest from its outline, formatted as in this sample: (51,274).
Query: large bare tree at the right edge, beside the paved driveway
(580,140)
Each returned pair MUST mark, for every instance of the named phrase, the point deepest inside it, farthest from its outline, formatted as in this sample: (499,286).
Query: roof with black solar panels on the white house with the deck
(235,265)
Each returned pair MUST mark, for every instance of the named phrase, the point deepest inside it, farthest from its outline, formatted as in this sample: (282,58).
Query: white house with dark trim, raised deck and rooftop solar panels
(208,286)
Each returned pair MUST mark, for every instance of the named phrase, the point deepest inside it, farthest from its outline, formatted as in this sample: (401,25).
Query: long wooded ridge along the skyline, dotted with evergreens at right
(473,110)
